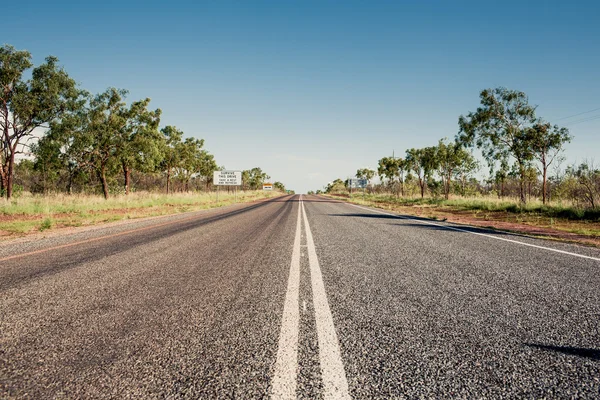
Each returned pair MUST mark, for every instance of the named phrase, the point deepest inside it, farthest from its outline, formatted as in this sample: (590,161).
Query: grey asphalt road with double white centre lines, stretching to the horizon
(298,297)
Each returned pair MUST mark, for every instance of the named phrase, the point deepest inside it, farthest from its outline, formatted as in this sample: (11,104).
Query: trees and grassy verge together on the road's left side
(71,158)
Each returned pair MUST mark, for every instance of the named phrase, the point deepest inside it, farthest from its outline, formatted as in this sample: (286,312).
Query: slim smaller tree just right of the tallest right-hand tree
(547,143)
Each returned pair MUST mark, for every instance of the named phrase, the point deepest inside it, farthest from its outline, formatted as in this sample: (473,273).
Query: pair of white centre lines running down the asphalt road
(335,385)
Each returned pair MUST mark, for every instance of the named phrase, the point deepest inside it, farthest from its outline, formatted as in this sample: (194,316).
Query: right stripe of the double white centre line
(335,385)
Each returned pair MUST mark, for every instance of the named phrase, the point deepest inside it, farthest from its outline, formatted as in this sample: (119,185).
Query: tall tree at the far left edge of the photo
(28,105)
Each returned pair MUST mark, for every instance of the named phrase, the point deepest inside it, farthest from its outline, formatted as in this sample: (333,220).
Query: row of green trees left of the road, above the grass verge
(59,138)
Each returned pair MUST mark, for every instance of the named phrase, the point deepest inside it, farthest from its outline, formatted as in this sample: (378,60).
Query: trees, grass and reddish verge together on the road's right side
(526,181)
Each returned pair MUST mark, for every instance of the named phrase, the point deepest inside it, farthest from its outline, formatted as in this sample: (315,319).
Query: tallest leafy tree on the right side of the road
(500,128)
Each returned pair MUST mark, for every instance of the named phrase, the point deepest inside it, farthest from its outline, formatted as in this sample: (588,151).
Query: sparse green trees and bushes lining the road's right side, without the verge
(521,153)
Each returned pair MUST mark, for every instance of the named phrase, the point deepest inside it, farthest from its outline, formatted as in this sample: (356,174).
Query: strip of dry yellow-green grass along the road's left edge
(30,213)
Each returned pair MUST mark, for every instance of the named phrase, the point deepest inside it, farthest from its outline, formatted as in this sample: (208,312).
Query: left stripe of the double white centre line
(286,365)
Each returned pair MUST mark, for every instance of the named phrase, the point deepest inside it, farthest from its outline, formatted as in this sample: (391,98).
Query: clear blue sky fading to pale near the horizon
(313,90)
